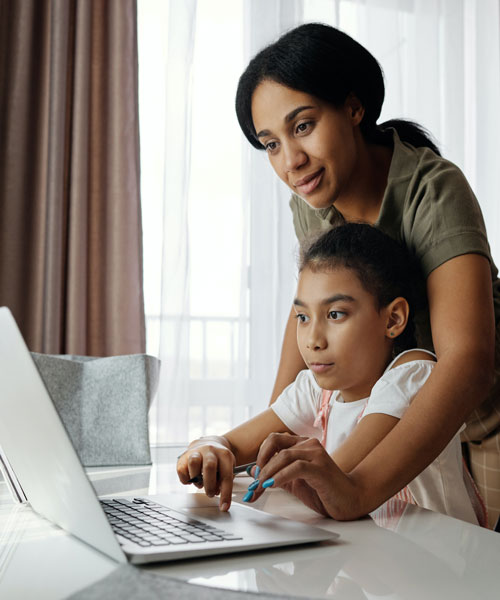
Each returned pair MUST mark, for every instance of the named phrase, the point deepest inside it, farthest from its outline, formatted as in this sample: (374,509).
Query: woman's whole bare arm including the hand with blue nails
(463,327)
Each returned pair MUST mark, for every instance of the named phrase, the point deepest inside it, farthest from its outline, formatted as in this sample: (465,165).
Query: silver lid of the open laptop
(39,450)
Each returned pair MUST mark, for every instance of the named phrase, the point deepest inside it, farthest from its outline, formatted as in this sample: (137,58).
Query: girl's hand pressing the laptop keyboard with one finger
(213,459)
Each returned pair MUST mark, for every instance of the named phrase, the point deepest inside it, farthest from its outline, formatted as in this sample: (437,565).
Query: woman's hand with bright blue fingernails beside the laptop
(303,467)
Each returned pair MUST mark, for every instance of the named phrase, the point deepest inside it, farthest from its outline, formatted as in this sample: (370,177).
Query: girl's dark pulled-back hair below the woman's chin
(384,267)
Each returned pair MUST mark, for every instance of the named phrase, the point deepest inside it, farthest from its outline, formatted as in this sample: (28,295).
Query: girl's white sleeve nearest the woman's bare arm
(394,391)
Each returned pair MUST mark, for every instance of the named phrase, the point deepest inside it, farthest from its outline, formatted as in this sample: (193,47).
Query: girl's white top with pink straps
(308,410)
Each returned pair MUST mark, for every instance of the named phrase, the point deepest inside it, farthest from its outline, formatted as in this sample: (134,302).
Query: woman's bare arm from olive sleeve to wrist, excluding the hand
(463,331)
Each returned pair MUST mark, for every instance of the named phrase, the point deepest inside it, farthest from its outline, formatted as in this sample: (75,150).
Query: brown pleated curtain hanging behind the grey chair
(70,221)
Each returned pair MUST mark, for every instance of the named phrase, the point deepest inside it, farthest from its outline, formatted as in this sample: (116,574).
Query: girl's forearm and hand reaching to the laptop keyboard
(214,457)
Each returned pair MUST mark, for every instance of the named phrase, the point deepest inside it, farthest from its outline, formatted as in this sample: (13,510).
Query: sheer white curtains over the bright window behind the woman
(219,242)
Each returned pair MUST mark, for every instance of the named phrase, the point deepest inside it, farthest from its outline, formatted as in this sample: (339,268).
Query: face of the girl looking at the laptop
(343,338)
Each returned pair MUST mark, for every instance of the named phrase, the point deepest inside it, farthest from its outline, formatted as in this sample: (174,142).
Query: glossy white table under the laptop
(413,554)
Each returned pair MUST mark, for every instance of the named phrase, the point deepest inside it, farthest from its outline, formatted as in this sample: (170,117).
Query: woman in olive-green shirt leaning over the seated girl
(312,100)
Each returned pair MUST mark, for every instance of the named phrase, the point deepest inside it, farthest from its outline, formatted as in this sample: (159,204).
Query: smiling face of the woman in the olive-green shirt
(312,146)
